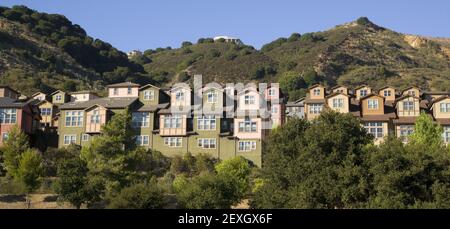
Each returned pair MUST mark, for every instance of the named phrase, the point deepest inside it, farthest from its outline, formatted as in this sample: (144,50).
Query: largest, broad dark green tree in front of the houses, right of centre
(315,165)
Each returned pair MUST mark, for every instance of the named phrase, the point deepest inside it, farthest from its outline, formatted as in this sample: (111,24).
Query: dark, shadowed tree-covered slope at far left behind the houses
(40,51)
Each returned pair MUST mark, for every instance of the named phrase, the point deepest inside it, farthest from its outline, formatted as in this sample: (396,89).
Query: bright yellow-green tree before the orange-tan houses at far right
(426,131)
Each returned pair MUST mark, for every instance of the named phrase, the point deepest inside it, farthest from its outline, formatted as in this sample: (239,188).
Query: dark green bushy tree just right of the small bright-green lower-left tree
(73,184)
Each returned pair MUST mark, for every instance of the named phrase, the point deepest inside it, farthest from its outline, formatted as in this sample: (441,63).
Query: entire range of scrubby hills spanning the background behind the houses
(40,51)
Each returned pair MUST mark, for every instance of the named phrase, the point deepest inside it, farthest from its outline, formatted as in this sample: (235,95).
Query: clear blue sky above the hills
(143,24)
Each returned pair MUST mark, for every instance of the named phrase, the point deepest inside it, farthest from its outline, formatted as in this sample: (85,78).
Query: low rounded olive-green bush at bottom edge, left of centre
(139,196)
